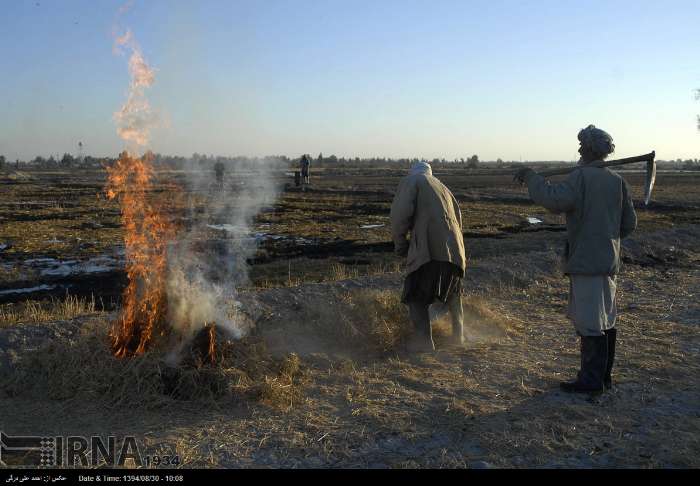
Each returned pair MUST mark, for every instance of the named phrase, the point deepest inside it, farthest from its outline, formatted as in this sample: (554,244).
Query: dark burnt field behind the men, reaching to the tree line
(342,217)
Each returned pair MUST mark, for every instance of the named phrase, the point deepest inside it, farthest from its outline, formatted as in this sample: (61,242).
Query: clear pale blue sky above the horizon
(391,78)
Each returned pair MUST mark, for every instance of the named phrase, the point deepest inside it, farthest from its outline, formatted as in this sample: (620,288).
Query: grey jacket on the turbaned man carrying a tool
(599,211)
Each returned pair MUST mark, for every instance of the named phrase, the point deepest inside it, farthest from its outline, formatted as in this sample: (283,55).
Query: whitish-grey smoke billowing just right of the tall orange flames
(206,266)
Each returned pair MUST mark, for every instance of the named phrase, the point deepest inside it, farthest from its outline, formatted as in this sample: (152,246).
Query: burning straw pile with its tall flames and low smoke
(173,338)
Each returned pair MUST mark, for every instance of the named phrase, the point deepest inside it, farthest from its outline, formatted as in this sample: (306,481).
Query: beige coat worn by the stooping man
(427,209)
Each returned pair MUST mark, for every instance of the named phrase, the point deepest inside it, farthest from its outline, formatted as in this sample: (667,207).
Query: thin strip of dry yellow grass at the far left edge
(36,312)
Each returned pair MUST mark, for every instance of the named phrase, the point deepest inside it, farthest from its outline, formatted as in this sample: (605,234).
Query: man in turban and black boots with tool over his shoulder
(599,212)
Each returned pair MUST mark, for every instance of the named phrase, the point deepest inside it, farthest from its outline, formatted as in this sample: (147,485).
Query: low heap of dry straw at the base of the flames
(84,369)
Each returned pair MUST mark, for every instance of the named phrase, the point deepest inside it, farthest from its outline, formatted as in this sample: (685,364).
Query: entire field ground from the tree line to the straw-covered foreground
(322,280)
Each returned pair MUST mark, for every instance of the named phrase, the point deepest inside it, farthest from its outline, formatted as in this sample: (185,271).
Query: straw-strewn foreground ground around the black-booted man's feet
(493,401)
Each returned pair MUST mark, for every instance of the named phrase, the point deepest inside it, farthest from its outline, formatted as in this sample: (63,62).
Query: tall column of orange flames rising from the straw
(147,230)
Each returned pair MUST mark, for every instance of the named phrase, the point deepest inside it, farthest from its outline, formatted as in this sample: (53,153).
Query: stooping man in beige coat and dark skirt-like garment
(435,259)
